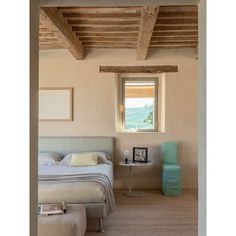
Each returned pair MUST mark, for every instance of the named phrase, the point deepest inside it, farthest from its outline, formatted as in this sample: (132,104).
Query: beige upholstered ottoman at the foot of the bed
(73,223)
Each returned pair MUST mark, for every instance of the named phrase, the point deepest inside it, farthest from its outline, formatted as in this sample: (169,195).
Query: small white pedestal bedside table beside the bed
(131,193)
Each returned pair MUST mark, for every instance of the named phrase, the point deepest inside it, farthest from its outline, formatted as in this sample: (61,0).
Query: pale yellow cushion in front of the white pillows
(83,159)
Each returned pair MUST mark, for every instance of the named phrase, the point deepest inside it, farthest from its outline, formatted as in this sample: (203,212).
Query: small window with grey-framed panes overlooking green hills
(139,108)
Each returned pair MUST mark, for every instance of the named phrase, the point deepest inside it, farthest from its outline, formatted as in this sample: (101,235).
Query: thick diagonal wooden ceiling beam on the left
(54,21)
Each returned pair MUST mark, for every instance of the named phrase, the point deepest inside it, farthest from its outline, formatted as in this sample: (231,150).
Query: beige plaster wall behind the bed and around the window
(94,107)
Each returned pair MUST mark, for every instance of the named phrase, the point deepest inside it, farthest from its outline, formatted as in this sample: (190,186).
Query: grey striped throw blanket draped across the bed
(102,179)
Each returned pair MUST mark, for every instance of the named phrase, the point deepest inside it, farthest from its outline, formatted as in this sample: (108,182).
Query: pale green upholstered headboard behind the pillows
(65,145)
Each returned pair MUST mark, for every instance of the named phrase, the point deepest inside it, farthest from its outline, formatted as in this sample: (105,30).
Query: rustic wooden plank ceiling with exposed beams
(139,28)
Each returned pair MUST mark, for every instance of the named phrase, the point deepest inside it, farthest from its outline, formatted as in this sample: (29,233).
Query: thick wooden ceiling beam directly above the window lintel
(147,23)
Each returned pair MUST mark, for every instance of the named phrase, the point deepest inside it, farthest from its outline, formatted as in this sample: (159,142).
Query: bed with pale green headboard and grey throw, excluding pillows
(91,185)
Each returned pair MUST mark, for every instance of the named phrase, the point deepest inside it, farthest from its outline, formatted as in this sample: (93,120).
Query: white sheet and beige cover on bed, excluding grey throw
(75,192)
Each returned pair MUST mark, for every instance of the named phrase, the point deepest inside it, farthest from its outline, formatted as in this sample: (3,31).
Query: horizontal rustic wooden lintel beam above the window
(138,69)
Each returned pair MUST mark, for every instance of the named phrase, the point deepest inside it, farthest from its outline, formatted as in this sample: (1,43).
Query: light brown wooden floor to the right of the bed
(153,214)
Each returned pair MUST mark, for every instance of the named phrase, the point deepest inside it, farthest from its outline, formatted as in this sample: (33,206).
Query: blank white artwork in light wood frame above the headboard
(56,104)
